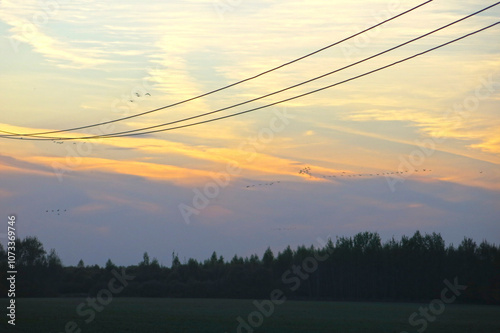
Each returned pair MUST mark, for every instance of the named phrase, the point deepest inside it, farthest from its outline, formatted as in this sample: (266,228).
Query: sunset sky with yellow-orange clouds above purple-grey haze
(415,146)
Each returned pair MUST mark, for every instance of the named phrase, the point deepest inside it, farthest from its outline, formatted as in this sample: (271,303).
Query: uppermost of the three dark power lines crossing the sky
(227,86)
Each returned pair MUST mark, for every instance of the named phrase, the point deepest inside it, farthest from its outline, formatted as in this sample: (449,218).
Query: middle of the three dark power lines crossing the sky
(301,83)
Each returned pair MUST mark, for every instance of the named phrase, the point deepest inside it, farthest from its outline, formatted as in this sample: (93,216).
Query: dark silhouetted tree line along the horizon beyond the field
(358,268)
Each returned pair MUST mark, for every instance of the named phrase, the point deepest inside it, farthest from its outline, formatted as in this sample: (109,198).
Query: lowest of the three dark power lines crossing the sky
(284,100)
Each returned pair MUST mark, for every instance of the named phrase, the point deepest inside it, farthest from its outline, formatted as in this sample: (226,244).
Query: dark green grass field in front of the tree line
(214,315)
